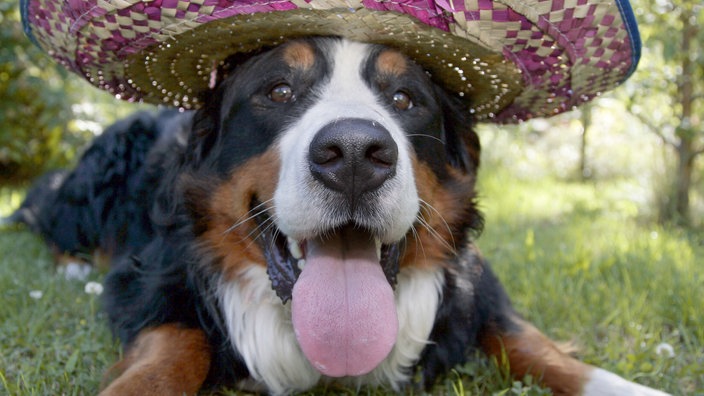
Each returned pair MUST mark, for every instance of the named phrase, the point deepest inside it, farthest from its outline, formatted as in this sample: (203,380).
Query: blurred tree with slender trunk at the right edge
(667,93)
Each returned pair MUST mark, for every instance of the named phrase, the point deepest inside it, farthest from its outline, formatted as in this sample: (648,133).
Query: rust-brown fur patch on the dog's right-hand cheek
(443,210)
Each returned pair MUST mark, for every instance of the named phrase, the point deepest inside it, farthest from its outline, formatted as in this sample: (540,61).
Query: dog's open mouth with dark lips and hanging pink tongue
(342,301)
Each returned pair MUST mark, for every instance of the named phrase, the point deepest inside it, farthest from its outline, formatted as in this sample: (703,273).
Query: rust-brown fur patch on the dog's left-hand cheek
(230,228)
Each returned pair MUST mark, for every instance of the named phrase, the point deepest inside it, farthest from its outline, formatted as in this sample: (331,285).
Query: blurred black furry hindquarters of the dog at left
(97,209)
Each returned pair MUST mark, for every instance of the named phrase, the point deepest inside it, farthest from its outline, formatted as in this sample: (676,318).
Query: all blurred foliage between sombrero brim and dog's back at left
(47,114)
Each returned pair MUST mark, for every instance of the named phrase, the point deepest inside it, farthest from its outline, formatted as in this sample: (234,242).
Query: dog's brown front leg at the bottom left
(164,360)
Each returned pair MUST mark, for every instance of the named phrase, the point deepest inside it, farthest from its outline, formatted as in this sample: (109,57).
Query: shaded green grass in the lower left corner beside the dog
(55,342)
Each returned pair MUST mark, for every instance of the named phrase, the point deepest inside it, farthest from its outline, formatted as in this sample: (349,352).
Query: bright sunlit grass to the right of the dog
(578,261)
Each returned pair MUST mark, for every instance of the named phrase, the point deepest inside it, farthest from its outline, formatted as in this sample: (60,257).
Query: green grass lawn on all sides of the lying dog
(576,259)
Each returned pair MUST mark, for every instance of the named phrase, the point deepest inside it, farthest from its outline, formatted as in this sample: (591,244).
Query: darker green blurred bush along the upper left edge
(35,110)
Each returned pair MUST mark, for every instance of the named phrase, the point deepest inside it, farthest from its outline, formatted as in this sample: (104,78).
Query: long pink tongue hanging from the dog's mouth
(343,307)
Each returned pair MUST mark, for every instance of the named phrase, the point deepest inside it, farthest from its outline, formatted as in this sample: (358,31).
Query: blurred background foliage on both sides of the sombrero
(650,130)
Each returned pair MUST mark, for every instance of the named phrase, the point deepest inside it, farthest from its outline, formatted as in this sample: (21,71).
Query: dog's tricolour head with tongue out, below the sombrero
(344,164)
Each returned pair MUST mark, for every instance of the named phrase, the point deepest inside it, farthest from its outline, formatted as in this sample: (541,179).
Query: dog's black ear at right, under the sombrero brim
(461,142)
